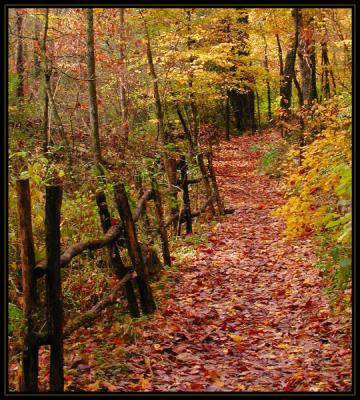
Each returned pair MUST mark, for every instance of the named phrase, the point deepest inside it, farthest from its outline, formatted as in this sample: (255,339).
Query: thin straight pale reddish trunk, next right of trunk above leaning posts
(123,99)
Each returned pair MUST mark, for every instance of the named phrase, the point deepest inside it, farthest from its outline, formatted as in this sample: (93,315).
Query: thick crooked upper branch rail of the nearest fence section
(77,248)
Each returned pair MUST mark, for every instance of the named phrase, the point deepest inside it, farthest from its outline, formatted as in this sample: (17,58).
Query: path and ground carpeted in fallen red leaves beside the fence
(246,312)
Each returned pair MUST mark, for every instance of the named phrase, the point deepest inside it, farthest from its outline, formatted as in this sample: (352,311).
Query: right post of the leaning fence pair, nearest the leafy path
(146,298)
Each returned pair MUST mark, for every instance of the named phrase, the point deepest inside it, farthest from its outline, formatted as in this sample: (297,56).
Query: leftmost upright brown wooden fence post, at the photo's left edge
(29,378)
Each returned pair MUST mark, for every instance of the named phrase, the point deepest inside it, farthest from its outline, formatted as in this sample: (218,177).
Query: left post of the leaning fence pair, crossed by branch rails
(116,261)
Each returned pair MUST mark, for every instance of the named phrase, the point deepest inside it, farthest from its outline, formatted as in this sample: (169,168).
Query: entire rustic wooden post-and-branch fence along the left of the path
(123,234)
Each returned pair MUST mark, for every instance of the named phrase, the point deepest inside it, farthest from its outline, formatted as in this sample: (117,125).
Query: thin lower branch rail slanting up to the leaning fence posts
(90,315)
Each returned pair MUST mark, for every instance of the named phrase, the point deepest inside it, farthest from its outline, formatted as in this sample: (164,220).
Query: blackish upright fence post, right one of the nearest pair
(53,286)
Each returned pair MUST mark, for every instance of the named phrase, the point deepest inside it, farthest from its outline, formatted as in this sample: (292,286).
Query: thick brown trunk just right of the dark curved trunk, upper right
(307,59)
